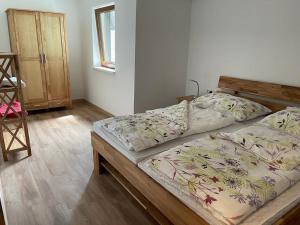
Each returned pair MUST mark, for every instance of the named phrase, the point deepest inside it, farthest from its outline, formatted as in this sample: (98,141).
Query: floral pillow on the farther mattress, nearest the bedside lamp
(240,108)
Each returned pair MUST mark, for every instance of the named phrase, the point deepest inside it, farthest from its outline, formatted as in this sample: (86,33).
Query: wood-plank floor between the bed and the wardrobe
(56,185)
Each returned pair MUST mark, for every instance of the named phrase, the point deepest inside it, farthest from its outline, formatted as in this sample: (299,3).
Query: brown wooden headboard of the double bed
(274,96)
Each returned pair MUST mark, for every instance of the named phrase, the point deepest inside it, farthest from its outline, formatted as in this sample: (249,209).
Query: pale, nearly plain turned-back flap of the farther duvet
(202,120)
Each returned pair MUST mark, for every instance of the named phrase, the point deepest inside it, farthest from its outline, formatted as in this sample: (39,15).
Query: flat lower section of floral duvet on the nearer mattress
(220,176)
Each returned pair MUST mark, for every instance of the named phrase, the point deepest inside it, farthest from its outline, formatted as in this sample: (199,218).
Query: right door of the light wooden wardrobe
(56,65)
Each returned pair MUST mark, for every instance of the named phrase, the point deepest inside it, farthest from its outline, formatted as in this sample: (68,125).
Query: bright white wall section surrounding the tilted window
(112,92)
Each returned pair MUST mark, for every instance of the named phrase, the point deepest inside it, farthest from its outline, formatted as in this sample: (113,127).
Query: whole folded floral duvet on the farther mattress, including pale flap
(145,130)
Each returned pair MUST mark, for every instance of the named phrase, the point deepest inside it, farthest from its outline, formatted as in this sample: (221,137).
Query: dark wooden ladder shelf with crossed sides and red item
(14,135)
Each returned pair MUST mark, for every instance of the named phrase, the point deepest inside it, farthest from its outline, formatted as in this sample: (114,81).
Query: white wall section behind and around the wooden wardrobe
(74,43)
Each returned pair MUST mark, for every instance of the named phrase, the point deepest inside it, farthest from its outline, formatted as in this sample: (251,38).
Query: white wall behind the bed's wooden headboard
(257,39)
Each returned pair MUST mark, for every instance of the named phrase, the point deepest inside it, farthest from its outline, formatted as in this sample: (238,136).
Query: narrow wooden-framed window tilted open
(105,23)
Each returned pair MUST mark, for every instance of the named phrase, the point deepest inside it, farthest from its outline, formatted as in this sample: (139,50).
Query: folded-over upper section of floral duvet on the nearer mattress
(279,149)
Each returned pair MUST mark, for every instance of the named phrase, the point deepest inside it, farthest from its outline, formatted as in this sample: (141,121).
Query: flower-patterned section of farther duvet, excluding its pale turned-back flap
(141,131)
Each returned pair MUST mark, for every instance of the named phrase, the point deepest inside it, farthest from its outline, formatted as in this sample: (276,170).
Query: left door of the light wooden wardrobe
(26,42)
